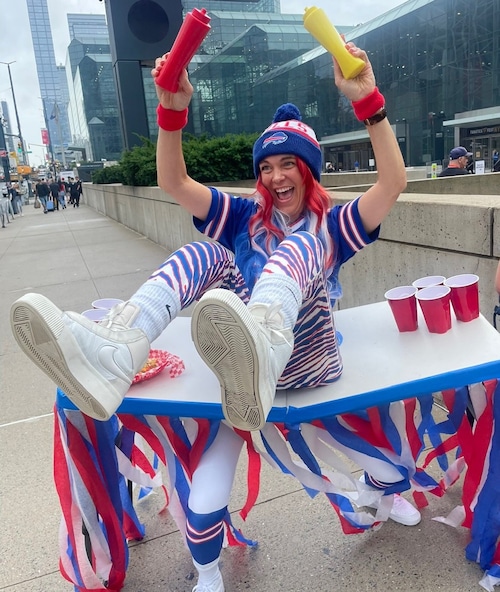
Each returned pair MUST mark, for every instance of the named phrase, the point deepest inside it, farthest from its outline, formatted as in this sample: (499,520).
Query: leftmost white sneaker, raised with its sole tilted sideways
(93,363)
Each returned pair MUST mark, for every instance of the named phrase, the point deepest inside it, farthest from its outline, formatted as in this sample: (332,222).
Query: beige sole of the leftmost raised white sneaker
(39,330)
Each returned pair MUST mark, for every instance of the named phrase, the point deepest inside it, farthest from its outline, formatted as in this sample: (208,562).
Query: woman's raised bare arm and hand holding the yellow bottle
(375,204)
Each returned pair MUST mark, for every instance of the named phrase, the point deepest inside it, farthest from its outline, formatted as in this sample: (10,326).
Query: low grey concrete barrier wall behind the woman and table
(423,235)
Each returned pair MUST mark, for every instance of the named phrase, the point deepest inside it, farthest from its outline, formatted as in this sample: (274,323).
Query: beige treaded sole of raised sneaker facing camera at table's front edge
(225,343)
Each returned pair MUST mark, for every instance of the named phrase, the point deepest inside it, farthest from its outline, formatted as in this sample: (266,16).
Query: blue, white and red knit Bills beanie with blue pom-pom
(289,135)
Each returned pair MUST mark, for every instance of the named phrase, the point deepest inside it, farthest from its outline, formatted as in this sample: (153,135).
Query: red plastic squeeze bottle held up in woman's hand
(189,38)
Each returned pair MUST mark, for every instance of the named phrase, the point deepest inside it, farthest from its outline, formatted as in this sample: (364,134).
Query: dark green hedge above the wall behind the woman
(208,160)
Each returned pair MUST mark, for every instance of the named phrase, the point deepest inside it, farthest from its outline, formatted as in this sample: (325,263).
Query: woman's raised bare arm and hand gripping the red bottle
(170,164)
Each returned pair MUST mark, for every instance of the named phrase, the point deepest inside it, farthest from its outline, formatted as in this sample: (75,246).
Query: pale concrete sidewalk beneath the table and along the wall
(74,256)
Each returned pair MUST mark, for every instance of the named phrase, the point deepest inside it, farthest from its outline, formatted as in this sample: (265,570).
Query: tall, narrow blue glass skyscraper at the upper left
(51,77)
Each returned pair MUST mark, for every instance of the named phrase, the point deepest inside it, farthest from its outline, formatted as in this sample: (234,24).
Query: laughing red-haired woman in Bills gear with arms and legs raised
(265,287)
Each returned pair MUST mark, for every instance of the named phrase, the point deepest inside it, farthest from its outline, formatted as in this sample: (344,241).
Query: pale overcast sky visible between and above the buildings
(16,45)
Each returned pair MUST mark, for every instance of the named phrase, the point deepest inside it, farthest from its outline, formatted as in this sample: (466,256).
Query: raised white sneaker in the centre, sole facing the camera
(247,348)
